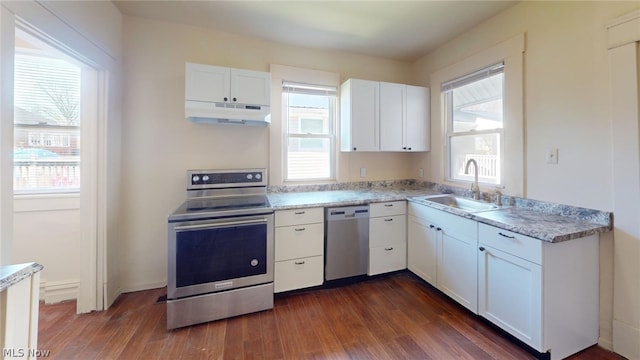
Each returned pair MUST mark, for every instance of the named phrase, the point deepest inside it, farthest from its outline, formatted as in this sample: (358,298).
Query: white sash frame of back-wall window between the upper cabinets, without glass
(309,89)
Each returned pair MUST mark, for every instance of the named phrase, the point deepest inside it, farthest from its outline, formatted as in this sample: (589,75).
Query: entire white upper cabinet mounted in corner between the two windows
(381,116)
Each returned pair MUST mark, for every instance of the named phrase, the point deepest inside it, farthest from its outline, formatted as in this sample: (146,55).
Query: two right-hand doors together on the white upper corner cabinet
(404,117)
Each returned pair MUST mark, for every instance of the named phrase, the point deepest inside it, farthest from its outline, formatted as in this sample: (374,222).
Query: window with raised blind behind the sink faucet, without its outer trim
(474,118)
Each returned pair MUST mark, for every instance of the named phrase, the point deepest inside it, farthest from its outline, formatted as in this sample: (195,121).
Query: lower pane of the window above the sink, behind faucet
(485,149)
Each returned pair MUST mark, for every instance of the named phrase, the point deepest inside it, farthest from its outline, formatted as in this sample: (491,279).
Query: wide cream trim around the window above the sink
(511,52)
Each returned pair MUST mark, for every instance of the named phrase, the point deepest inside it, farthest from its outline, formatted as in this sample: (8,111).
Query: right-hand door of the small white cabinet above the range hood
(250,87)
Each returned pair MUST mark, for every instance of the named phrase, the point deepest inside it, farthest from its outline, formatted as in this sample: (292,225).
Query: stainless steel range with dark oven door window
(220,248)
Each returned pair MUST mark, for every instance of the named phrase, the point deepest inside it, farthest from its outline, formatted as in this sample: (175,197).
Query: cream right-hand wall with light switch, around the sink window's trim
(566,97)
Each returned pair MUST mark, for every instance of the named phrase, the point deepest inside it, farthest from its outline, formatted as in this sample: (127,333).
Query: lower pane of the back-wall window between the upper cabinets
(309,158)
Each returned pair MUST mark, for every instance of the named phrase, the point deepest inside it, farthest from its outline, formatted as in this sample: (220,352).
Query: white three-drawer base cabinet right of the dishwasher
(387,237)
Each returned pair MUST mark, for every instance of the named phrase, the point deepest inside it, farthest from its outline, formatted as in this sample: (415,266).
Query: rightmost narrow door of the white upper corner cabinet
(417,132)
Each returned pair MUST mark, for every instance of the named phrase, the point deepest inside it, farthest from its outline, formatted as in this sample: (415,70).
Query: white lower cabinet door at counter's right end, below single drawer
(510,294)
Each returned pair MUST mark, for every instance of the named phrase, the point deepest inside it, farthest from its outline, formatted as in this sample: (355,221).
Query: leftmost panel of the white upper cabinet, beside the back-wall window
(359,115)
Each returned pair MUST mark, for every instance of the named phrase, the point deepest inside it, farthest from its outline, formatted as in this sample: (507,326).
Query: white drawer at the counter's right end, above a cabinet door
(511,243)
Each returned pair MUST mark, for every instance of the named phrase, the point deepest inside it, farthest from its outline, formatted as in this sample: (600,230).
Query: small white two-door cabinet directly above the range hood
(218,84)
